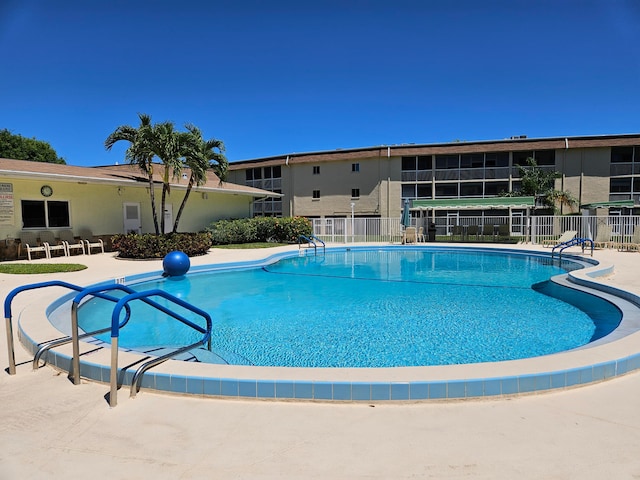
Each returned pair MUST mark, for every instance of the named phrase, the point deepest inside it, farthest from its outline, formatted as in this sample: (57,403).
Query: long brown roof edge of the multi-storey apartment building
(505,145)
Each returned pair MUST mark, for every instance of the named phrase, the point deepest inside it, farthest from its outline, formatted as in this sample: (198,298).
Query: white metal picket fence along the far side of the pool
(533,229)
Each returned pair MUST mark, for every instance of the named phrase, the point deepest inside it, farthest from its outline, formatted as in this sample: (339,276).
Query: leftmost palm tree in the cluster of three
(140,153)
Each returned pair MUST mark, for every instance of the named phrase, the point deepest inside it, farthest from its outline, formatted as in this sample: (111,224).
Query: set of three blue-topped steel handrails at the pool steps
(116,325)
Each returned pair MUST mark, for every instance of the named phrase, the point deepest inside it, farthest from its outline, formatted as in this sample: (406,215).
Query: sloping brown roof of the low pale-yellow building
(124,175)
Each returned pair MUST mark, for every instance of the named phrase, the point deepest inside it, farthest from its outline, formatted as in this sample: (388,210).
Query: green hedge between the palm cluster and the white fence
(259,229)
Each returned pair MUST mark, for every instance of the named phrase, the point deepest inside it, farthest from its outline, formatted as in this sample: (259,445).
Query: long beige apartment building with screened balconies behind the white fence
(447,179)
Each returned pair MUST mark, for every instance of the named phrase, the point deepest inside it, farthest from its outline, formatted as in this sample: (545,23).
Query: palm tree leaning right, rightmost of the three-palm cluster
(199,156)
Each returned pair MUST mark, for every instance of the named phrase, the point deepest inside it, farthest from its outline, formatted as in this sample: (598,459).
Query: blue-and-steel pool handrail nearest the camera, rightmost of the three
(115,332)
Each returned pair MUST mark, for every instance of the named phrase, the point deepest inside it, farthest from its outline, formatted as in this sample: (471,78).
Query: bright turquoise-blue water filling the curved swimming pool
(375,308)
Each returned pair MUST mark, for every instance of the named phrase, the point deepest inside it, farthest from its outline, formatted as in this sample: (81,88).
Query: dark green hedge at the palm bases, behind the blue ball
(149,245)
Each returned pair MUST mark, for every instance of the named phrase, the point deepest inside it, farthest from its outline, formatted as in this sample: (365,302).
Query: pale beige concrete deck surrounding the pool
(52,429)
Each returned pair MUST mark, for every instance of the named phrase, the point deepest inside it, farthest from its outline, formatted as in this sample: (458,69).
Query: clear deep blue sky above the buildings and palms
(278,77)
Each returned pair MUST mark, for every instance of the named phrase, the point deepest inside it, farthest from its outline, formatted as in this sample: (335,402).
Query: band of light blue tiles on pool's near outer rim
(340,391)
